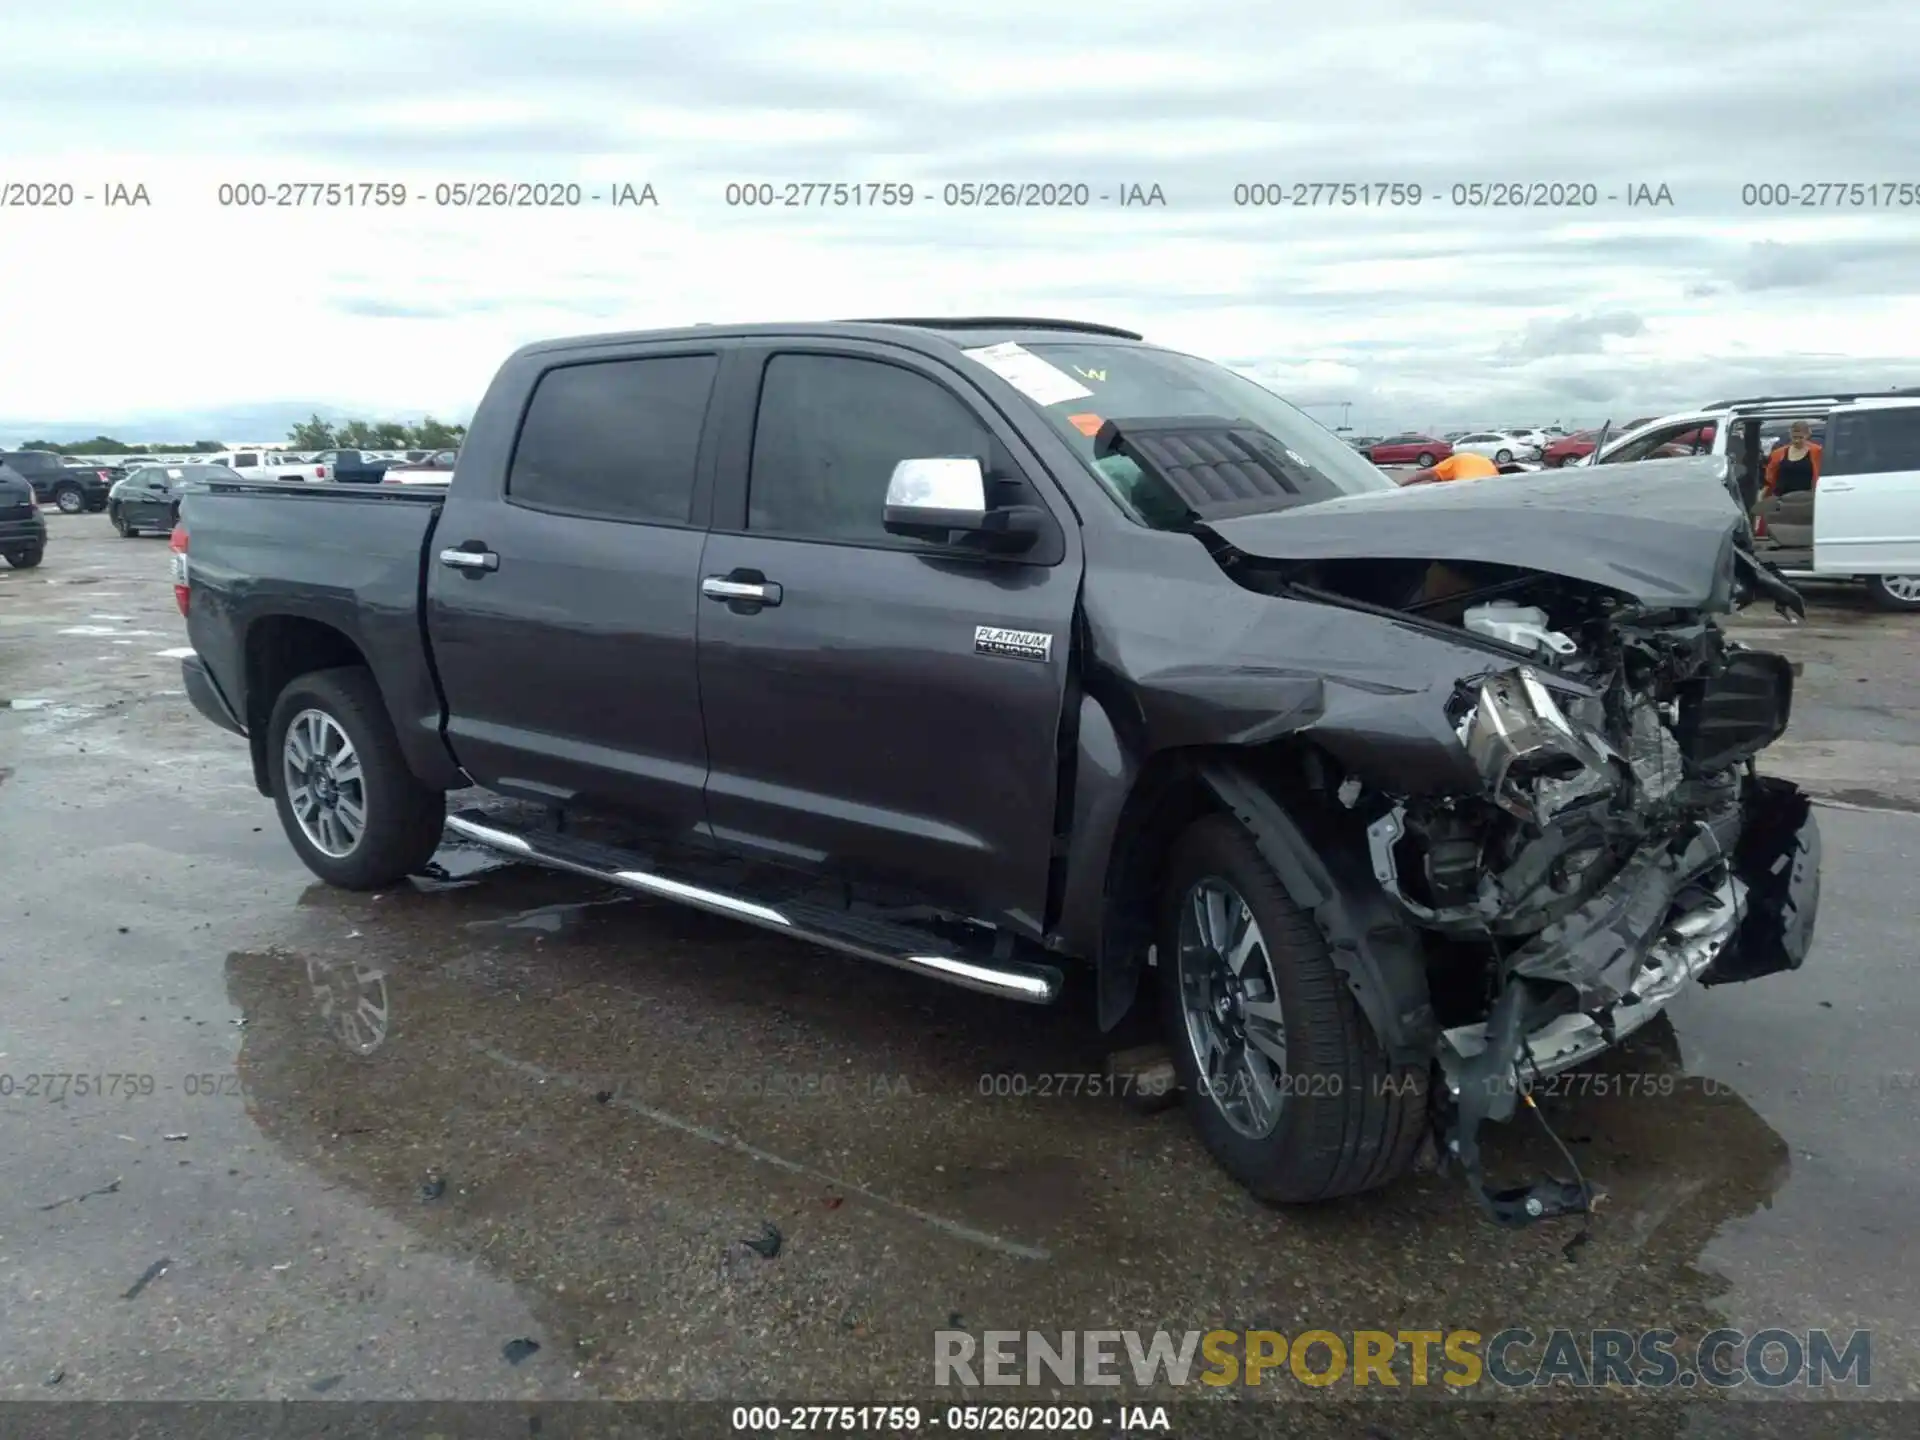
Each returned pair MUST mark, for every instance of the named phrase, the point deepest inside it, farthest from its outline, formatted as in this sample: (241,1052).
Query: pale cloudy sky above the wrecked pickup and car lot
(191,312)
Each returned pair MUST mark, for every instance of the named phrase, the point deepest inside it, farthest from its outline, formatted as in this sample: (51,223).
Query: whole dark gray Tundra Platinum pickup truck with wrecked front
(1003,650)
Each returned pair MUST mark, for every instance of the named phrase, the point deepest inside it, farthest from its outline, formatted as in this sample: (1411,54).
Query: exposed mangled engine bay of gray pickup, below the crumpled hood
(1621,842)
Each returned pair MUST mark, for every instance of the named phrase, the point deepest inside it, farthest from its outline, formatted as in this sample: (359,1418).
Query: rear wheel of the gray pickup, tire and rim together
(347,796)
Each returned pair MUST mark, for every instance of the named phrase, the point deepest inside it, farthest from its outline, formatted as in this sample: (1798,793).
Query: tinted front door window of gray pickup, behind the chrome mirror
(830,433)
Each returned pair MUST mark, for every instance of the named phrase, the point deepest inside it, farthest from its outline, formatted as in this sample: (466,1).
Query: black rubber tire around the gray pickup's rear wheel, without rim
(404,819)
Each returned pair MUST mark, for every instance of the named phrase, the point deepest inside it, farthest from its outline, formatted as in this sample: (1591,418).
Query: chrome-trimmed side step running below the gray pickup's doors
(869,940)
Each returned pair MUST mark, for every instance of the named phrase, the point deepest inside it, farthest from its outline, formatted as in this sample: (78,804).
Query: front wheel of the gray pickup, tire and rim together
(1284,1076)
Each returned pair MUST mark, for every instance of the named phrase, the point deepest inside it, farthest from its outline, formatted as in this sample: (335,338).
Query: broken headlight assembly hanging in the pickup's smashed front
(1535,757)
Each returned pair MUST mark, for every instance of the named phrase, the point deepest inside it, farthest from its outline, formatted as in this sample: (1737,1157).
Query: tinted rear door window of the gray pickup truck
(615,439)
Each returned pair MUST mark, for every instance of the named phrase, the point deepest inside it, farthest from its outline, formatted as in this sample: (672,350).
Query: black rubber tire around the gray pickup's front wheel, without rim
(1349,1120)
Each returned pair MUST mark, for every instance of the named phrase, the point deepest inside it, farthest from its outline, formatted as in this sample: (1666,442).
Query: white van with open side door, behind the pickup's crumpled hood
(1867,502)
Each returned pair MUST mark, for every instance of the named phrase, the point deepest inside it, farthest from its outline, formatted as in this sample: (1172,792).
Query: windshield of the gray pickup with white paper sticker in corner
(1143,383)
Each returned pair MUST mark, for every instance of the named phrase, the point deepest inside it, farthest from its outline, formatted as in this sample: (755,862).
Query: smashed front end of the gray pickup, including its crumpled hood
(1620,842)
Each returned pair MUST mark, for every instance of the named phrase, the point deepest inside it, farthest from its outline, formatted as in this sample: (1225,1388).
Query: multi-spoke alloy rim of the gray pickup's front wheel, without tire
(1232,1007)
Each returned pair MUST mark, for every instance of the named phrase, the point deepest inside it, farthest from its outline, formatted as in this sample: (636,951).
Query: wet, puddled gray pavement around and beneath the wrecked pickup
(508,1134)
